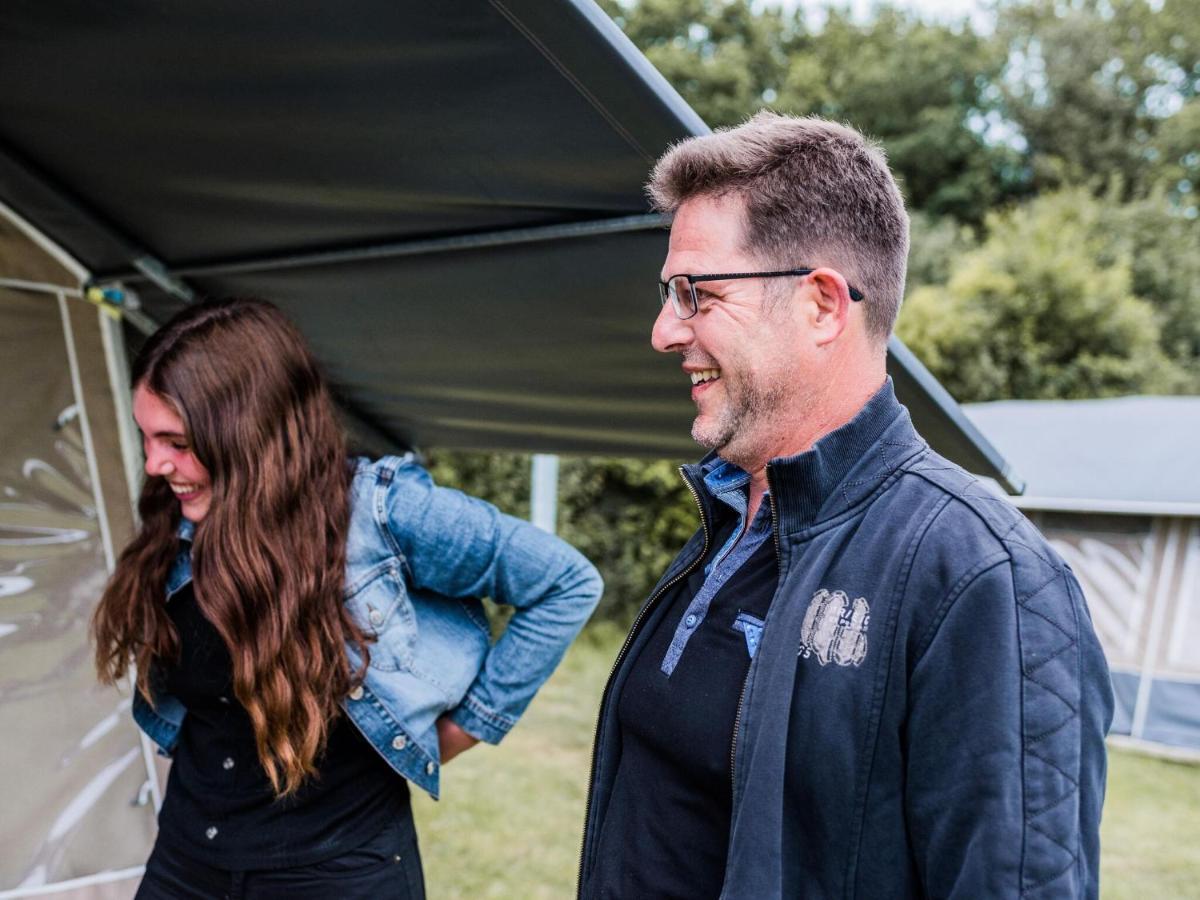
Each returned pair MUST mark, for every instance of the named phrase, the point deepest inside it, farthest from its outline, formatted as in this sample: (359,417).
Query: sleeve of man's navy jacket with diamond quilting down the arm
(1010,703)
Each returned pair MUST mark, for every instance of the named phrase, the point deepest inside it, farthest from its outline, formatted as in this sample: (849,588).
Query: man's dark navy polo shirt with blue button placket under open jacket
(667,830)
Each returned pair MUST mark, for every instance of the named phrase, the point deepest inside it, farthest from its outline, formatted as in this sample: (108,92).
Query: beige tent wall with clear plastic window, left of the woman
(75,773)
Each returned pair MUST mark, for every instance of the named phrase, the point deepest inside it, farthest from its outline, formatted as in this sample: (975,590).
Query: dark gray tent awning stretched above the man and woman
(446,197)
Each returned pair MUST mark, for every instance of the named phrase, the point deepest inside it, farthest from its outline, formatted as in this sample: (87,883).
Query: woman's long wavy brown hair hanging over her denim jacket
(269,556)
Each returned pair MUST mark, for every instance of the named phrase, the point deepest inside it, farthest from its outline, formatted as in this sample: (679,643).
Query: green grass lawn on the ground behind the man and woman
(512,817)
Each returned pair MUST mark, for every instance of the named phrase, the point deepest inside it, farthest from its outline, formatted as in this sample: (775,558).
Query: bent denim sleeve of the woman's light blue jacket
(461,547)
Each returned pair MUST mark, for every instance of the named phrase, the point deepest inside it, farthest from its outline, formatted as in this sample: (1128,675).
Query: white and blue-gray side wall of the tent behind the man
(1142,579)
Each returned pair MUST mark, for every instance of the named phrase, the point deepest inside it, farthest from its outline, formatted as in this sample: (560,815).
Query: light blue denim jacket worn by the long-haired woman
(419,559)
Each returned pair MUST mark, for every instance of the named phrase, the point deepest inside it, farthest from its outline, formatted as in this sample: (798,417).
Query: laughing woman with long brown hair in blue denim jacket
(307,631)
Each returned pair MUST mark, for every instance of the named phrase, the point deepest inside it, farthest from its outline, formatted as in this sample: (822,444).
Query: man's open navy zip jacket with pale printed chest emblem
(926,715)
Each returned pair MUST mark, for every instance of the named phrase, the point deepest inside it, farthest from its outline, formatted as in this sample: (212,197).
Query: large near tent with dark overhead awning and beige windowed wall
(446,197)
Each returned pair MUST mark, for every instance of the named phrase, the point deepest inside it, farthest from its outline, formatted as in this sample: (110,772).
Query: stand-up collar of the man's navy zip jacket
(842,469)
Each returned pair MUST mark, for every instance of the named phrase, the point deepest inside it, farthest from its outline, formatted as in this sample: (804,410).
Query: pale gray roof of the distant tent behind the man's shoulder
(1119,454)
